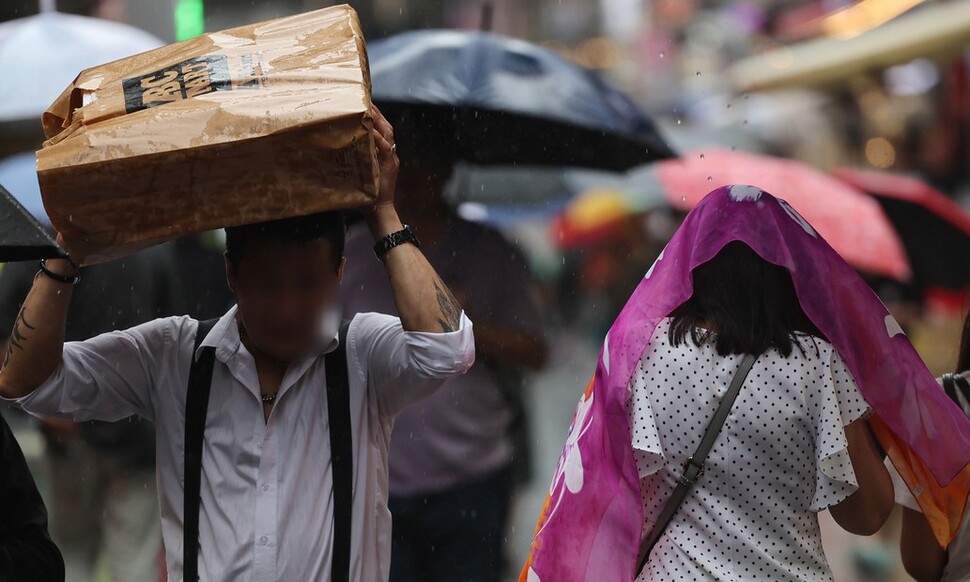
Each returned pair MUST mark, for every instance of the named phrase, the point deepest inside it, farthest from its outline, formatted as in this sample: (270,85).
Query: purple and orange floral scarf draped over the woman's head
(591,523)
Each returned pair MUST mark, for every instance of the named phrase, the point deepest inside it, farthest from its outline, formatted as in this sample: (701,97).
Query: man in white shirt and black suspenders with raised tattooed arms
(282,473)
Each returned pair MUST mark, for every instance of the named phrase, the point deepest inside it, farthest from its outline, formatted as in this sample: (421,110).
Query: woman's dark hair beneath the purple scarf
(750,305)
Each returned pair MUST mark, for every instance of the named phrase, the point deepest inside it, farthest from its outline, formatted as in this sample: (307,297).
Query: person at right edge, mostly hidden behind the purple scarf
(923,557)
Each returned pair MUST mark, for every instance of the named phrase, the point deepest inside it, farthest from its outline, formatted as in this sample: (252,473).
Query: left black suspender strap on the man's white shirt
(196,407)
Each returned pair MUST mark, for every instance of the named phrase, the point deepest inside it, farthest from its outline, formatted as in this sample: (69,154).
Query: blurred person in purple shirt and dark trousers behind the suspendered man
(451,457)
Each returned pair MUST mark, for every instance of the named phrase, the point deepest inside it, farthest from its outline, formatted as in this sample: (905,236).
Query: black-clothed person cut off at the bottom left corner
(26,549)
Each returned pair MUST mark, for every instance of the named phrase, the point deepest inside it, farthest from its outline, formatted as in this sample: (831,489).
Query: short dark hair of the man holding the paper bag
(330,226)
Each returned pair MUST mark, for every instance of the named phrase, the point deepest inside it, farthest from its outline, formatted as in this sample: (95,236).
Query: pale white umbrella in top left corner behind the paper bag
(42,54)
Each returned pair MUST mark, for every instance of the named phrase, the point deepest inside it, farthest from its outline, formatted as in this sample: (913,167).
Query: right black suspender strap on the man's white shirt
(341,454)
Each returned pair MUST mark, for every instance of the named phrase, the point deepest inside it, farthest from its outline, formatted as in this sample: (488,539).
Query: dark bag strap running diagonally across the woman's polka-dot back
(694,465)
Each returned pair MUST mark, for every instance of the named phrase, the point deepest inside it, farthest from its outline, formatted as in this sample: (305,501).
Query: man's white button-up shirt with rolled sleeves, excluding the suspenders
(266,511)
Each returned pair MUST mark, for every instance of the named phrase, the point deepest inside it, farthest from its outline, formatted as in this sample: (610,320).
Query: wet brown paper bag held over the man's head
(250,124)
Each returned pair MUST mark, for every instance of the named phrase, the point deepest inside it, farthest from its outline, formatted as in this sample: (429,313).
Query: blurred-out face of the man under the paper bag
(282,292)
